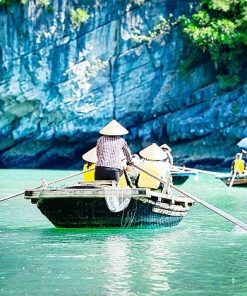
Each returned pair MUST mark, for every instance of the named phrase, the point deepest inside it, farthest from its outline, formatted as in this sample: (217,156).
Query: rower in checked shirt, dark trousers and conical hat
(111,149)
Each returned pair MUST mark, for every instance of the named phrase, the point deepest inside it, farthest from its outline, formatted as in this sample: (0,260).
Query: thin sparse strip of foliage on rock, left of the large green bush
(162,28)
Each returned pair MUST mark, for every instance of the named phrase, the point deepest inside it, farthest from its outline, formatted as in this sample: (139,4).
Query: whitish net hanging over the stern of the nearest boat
(117,199)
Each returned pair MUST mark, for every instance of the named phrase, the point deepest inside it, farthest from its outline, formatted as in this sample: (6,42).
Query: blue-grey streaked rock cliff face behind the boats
(60,84)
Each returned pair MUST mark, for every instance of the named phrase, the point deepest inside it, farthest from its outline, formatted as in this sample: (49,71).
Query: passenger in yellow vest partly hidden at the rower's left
(90,158)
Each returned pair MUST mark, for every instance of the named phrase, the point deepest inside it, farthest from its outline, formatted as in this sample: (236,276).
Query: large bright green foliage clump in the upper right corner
(219,27)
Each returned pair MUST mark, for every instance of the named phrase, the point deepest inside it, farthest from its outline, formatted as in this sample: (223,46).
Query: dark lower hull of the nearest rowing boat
(93,212)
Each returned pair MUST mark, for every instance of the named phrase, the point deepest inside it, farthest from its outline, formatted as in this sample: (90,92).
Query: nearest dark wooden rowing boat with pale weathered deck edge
(84,205)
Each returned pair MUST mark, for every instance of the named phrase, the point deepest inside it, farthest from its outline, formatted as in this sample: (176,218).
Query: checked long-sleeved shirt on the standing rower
(111,150)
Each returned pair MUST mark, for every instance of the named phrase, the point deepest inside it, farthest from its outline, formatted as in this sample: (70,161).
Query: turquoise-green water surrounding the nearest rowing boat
(203,255)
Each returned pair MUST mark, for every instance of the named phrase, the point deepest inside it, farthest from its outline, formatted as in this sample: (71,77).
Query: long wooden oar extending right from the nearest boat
(202,202)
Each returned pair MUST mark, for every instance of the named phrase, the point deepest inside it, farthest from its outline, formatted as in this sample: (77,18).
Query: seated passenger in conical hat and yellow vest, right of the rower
(154,163)
